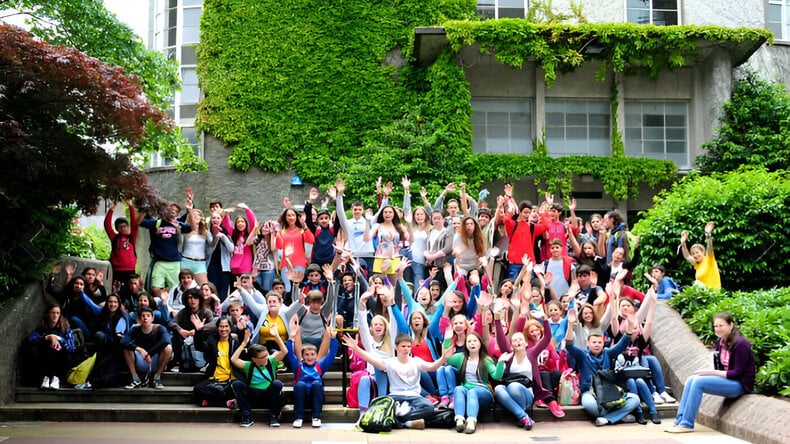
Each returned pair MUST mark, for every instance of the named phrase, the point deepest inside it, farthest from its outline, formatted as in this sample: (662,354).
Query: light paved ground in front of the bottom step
(137,433)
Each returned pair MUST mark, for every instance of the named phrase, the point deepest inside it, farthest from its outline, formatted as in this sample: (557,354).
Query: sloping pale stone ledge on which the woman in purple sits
(754,418)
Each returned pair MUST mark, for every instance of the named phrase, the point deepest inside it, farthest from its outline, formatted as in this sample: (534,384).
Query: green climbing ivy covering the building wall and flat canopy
(328,90)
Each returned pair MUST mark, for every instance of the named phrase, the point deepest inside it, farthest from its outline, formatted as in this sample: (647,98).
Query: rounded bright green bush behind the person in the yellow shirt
(750,241)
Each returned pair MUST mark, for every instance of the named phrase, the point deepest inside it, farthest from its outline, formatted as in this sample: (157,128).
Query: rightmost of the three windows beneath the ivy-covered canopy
(658,130)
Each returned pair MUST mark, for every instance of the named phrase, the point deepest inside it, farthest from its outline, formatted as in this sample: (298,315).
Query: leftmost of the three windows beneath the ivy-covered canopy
(502,126)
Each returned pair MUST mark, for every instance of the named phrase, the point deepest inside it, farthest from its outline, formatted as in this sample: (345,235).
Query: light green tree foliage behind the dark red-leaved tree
(86,25)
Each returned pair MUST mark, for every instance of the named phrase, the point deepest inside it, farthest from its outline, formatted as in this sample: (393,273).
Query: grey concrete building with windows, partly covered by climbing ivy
(666,118)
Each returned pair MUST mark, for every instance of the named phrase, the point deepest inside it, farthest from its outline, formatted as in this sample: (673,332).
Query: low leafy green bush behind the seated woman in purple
(762,316)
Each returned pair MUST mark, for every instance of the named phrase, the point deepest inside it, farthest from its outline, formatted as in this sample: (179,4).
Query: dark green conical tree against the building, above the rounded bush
(754,130)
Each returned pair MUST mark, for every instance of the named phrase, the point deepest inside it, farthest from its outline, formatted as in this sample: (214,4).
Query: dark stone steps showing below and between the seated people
(174,404)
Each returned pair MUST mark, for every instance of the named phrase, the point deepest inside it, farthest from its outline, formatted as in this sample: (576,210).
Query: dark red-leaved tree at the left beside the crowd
(58,107)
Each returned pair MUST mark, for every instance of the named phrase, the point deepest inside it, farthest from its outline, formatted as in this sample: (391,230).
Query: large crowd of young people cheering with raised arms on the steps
(450,306)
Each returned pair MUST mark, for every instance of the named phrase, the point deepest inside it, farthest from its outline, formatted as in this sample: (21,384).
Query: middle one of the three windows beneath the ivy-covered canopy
(578,127)
